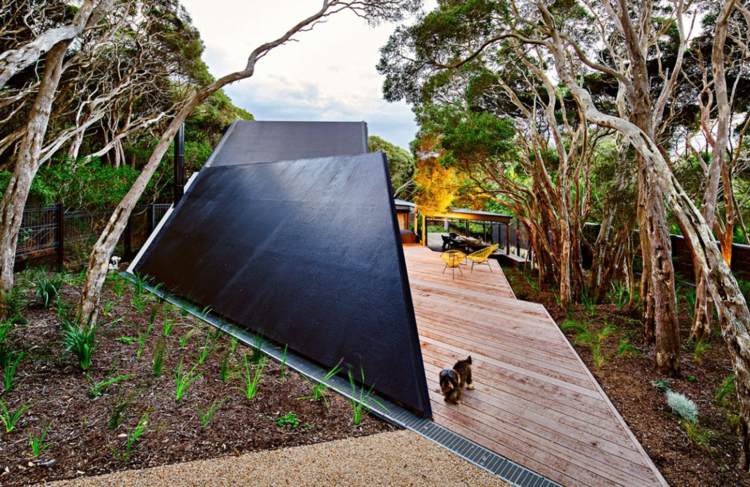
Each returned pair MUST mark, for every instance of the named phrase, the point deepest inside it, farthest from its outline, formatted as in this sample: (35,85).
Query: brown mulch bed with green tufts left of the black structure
(88,435)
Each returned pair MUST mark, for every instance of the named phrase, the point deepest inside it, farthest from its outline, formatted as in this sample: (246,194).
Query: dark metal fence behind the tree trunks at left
(67,235)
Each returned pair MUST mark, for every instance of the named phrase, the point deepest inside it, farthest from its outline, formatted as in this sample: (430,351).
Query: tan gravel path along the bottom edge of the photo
(394,458)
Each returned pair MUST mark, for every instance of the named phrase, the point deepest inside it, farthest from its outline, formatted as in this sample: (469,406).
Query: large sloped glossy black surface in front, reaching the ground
(265,246)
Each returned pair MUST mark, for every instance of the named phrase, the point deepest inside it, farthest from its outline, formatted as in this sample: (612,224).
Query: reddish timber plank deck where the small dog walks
(535,401)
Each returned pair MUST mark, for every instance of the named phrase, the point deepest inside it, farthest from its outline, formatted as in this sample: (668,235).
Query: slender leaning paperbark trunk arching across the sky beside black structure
(372,10)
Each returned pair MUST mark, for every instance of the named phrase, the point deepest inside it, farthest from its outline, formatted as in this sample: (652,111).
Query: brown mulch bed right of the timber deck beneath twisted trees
(626,372)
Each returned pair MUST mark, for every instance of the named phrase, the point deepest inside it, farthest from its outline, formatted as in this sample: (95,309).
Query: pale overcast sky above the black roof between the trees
(328,75)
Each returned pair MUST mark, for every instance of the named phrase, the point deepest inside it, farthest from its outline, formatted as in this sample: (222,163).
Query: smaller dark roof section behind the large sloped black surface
(248,142)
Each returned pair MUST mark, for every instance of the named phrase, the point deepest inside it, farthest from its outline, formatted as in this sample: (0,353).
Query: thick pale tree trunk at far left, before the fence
(27,165)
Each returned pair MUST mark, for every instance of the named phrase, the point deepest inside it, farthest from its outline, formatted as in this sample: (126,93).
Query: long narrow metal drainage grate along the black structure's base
(480,456)
